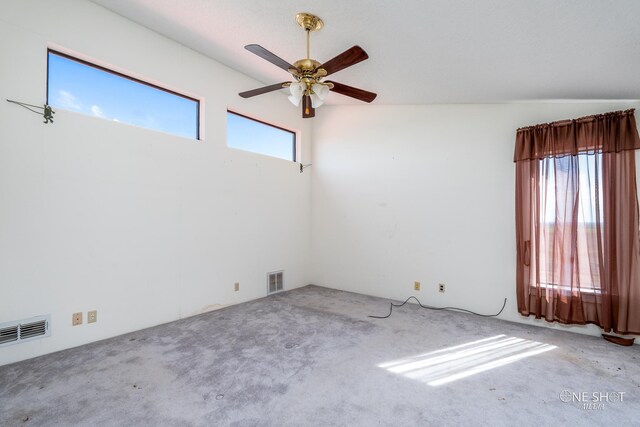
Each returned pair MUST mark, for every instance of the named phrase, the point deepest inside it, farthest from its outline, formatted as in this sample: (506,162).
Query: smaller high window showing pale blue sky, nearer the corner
(250,135)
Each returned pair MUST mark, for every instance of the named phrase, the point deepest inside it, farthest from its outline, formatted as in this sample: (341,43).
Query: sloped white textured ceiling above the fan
(423,51)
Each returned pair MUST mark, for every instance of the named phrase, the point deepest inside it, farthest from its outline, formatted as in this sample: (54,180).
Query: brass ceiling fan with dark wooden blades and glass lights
(308,87)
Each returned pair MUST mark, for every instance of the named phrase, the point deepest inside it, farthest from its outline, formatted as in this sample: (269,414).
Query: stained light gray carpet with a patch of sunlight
(312,357)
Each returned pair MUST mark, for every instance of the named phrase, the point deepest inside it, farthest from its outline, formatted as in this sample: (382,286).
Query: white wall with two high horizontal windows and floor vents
(142,226)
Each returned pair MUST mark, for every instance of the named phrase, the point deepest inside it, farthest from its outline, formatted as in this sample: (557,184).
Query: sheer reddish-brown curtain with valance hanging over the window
(577,222)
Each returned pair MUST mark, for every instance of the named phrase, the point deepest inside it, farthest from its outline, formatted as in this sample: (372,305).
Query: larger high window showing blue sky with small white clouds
(79,87)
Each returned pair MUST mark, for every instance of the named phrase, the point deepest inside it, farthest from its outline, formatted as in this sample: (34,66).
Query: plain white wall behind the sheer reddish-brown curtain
(423,193)
